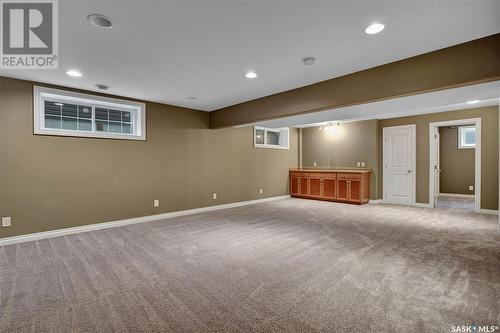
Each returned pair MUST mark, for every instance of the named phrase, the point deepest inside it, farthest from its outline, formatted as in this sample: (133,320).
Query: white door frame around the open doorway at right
(477,157)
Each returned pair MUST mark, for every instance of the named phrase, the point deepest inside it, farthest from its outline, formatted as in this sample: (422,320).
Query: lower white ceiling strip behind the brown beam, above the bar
(440,101)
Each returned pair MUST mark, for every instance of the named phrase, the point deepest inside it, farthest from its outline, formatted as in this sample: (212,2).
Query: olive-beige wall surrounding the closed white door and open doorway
(489,153)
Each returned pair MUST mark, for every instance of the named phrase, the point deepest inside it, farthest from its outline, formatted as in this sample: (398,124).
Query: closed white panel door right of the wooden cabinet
(399,164)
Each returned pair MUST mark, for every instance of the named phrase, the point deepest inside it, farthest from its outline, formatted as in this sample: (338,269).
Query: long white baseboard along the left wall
(134,220)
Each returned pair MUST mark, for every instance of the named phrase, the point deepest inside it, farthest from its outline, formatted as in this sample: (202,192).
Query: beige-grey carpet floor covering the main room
(286,266)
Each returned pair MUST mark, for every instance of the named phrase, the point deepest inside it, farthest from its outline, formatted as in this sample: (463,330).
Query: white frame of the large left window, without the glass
(40,94)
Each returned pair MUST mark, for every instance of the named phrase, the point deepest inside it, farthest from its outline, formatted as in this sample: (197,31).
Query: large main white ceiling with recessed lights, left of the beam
(168,51)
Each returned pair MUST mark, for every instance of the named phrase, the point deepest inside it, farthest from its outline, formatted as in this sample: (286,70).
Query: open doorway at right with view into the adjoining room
(455,165)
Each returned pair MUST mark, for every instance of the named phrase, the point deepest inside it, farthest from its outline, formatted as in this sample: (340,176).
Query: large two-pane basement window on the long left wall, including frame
(66,113)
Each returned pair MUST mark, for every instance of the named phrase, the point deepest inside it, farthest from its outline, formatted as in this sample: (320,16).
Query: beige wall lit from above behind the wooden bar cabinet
(347,144)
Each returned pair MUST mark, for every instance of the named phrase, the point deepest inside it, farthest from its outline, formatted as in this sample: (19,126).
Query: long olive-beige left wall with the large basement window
(50,182)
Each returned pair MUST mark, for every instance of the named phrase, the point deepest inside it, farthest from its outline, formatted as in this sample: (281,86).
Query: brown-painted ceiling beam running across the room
(460,65)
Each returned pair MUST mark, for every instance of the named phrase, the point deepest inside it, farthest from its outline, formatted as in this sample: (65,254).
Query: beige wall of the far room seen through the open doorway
(457,165)
